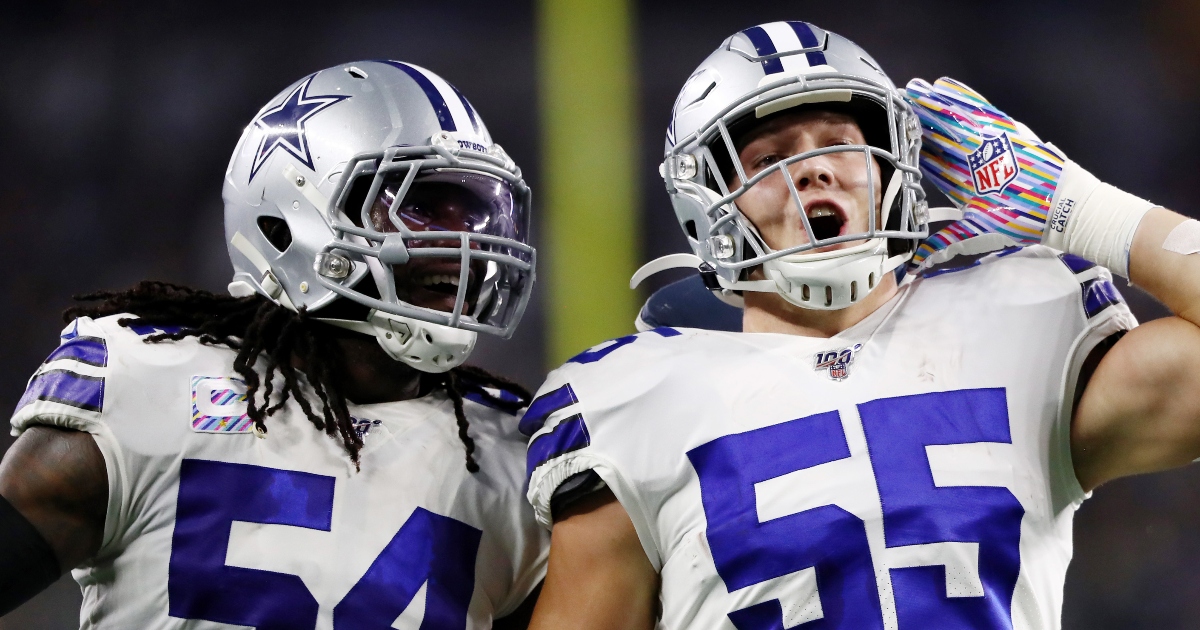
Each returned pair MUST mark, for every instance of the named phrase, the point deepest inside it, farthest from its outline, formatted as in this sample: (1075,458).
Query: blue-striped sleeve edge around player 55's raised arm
(1105,319)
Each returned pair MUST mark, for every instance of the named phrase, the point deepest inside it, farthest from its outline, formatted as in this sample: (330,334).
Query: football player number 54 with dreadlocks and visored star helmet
(308,452)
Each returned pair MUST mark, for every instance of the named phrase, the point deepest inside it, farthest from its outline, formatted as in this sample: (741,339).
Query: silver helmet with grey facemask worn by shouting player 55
(753,75)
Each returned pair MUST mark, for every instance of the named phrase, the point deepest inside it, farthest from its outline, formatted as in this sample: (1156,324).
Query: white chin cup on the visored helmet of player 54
(425,346)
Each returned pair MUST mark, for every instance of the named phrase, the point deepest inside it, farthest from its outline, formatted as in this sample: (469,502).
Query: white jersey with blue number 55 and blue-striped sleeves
(913,472)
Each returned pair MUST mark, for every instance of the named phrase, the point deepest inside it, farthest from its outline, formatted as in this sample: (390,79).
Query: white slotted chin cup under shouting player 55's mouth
(829,281)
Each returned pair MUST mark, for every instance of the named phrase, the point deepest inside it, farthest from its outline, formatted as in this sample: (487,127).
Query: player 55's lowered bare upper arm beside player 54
(599,578)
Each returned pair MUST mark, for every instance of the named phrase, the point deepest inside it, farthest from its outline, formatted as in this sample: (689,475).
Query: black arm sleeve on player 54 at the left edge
(28,565)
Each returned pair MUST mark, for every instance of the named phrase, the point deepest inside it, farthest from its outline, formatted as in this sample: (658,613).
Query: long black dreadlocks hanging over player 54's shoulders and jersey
(259,328)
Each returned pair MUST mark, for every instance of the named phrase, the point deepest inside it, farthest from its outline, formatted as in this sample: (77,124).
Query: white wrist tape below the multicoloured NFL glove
(1094,220)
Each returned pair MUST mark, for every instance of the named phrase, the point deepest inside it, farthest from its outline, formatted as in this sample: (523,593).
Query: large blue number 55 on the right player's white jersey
(832,542)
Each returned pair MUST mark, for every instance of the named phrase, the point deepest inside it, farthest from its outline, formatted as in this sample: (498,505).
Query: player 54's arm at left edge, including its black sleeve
(55,487)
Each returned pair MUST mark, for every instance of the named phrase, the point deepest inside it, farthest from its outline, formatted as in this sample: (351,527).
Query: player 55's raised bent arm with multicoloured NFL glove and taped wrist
(1141,411)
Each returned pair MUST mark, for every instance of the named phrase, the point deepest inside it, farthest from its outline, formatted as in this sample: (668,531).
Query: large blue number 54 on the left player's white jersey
(430,550)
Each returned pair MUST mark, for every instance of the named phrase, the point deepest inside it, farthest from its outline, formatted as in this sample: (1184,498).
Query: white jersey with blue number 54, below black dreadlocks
(212,526)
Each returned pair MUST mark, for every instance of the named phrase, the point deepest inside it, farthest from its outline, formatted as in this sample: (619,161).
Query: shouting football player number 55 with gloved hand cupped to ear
(878,449)
